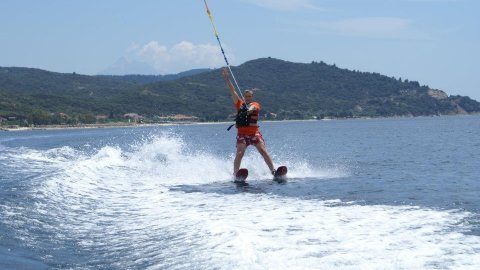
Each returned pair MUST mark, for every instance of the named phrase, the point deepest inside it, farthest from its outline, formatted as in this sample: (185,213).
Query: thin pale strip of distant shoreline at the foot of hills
(133,125)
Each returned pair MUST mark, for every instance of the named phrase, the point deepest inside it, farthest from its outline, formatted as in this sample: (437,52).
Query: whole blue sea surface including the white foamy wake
(361,194)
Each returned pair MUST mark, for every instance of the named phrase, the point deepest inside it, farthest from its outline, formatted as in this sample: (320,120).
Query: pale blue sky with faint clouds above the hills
(435,42)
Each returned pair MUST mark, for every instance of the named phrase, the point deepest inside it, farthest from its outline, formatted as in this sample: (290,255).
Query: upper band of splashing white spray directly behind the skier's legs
(162,159)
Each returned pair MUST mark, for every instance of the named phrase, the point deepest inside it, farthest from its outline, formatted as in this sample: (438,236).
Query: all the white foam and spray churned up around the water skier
(119,204)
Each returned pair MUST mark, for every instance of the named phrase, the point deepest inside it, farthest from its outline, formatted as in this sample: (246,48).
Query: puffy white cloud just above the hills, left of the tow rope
(177,58)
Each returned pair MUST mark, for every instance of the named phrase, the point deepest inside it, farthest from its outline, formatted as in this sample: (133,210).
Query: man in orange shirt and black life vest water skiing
(247,126)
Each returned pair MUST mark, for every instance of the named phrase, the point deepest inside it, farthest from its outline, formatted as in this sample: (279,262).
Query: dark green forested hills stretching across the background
(286,90)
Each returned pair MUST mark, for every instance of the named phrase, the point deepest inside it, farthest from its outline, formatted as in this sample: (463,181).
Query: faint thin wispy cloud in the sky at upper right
(372,27)
